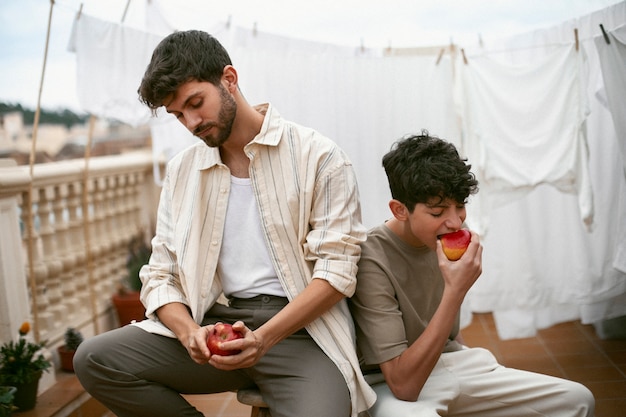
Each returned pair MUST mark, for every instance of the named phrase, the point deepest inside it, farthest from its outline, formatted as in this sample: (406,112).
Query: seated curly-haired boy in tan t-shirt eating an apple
(409,295)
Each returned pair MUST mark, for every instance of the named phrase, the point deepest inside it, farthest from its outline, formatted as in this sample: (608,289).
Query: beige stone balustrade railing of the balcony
(66,234)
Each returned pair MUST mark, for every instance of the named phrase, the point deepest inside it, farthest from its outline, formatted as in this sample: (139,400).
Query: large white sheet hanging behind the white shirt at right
(540,265)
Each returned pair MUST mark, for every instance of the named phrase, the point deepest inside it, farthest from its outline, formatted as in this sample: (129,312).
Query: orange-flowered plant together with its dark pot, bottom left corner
(21,366)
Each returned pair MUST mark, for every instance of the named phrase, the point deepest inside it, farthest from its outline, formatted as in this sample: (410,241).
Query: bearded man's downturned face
(206,110)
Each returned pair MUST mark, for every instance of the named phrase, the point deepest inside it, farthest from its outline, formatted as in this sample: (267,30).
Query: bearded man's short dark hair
(178,58)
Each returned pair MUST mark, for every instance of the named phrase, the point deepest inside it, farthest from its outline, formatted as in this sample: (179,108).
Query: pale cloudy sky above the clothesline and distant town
(377,24)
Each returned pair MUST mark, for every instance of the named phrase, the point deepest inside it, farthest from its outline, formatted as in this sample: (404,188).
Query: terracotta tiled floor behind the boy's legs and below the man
(569,350)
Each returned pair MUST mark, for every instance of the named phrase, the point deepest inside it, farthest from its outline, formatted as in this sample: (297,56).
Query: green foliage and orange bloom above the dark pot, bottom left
(22,361)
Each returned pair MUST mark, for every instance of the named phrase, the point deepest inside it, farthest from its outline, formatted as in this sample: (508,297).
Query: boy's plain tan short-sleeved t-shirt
(399,288)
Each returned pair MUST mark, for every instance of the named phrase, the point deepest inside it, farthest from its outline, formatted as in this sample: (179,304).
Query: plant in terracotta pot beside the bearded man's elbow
(126,300)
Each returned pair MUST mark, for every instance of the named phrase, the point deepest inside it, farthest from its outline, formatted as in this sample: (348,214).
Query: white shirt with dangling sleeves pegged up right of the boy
(524,126)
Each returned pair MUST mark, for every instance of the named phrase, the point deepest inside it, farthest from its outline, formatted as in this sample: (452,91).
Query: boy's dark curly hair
(422,167)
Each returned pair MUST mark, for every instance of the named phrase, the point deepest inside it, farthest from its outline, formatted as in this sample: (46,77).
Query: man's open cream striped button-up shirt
(306,191)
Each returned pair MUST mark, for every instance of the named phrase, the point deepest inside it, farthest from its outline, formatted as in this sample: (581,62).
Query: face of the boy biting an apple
(433,219)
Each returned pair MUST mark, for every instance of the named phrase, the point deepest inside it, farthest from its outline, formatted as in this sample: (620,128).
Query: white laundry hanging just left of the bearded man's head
(110,62)
